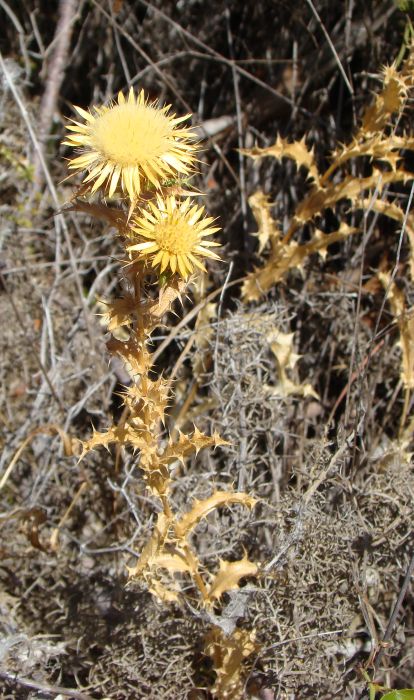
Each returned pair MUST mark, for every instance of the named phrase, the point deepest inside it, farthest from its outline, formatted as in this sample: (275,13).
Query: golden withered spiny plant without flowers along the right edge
(337,188)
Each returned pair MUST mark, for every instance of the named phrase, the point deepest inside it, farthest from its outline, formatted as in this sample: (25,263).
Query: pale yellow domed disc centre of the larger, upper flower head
(131,134)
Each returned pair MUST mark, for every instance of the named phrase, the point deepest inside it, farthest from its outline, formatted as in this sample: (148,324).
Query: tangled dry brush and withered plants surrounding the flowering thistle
(306,370)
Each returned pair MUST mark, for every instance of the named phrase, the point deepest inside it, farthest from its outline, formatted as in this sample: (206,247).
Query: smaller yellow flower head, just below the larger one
(174,231)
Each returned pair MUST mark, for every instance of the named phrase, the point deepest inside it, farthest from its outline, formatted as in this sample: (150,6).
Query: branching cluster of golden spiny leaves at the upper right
(326,192)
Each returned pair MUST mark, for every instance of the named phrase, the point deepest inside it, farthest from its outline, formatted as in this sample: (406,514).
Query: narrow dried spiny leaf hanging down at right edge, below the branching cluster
(405,319)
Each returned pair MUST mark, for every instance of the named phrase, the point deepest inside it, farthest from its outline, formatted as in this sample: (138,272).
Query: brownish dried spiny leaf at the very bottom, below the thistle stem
(228,654)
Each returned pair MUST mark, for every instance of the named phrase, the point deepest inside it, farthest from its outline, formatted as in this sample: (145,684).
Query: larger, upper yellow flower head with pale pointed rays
(130,144)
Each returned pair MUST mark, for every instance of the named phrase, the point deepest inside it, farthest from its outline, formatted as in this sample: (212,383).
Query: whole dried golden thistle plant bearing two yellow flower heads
(136,152)
